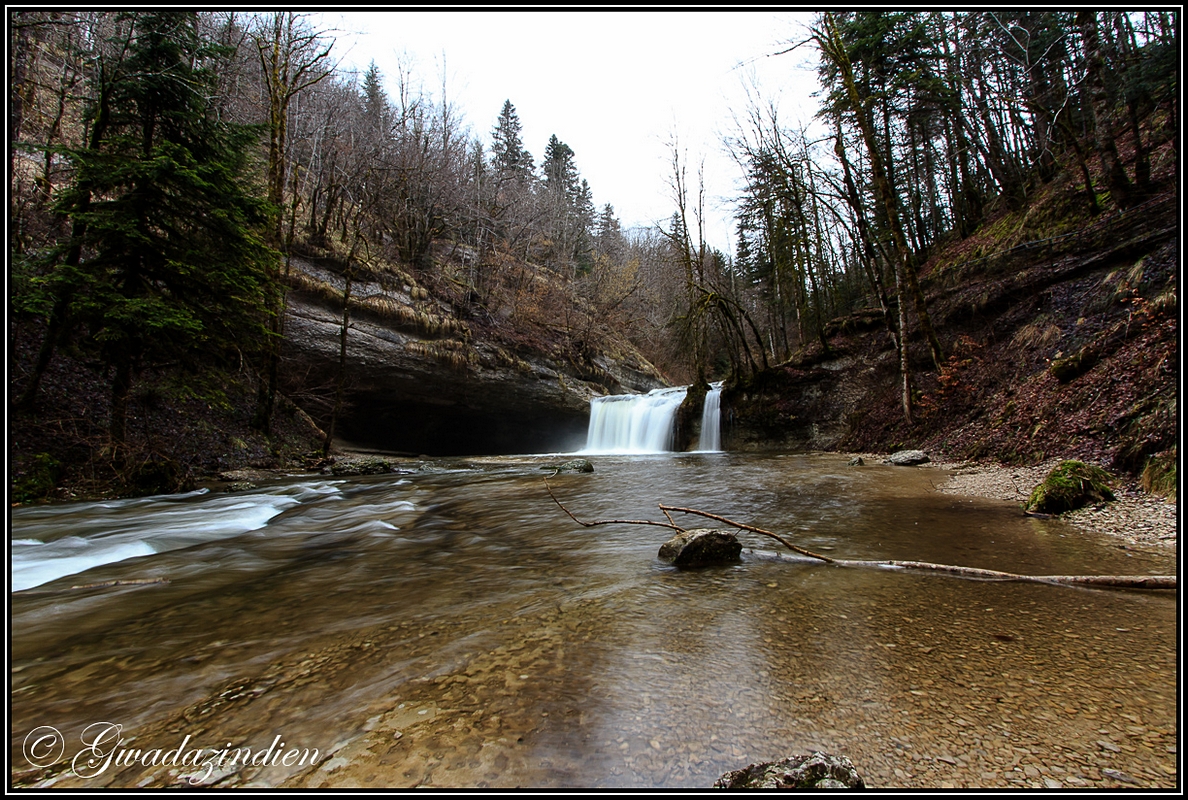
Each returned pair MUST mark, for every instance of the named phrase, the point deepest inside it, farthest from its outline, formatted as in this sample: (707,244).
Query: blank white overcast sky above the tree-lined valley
(614,86)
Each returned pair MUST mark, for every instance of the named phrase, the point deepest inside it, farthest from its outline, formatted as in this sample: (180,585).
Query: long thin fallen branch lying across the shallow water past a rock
(1102,582)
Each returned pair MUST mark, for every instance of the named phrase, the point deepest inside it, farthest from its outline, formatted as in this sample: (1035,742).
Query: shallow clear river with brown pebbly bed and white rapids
(451,627)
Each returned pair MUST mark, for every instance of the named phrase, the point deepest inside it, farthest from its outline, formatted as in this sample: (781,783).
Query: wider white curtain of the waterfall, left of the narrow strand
(634,424)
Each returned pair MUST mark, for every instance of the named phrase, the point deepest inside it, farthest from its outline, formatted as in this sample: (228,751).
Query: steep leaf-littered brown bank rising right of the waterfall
(1063,345)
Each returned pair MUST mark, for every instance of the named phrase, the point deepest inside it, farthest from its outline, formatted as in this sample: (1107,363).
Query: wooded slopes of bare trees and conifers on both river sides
(225,251)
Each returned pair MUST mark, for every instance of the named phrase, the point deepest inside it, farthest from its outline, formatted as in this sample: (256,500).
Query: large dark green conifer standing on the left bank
(167,262)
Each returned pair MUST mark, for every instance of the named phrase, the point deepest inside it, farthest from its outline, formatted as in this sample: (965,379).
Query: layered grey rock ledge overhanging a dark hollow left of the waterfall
(416,382)
